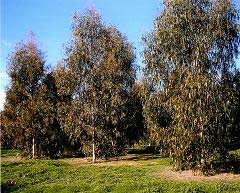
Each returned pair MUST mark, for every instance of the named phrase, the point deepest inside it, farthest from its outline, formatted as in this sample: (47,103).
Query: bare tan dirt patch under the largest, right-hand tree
(189,175)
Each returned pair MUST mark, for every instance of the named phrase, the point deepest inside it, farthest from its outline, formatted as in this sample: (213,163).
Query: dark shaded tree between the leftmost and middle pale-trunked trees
(52,140)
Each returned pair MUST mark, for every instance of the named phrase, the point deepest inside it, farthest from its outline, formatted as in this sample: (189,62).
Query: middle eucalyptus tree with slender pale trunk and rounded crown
(100,61)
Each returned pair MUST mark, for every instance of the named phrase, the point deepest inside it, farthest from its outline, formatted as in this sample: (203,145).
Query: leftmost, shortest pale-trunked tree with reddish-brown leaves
(26,67)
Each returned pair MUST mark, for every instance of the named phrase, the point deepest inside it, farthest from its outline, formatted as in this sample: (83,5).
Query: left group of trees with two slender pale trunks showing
(86,104)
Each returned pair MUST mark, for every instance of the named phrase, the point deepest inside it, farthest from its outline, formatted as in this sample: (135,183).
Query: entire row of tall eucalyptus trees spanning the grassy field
(187,102)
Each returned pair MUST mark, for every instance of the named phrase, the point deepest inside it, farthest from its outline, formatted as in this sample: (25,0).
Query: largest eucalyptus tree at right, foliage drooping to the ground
(190,50)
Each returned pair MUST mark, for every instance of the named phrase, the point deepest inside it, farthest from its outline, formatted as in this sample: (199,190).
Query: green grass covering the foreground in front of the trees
(135,174)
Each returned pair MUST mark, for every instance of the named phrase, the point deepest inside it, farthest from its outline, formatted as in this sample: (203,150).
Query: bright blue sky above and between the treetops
(50,20)
